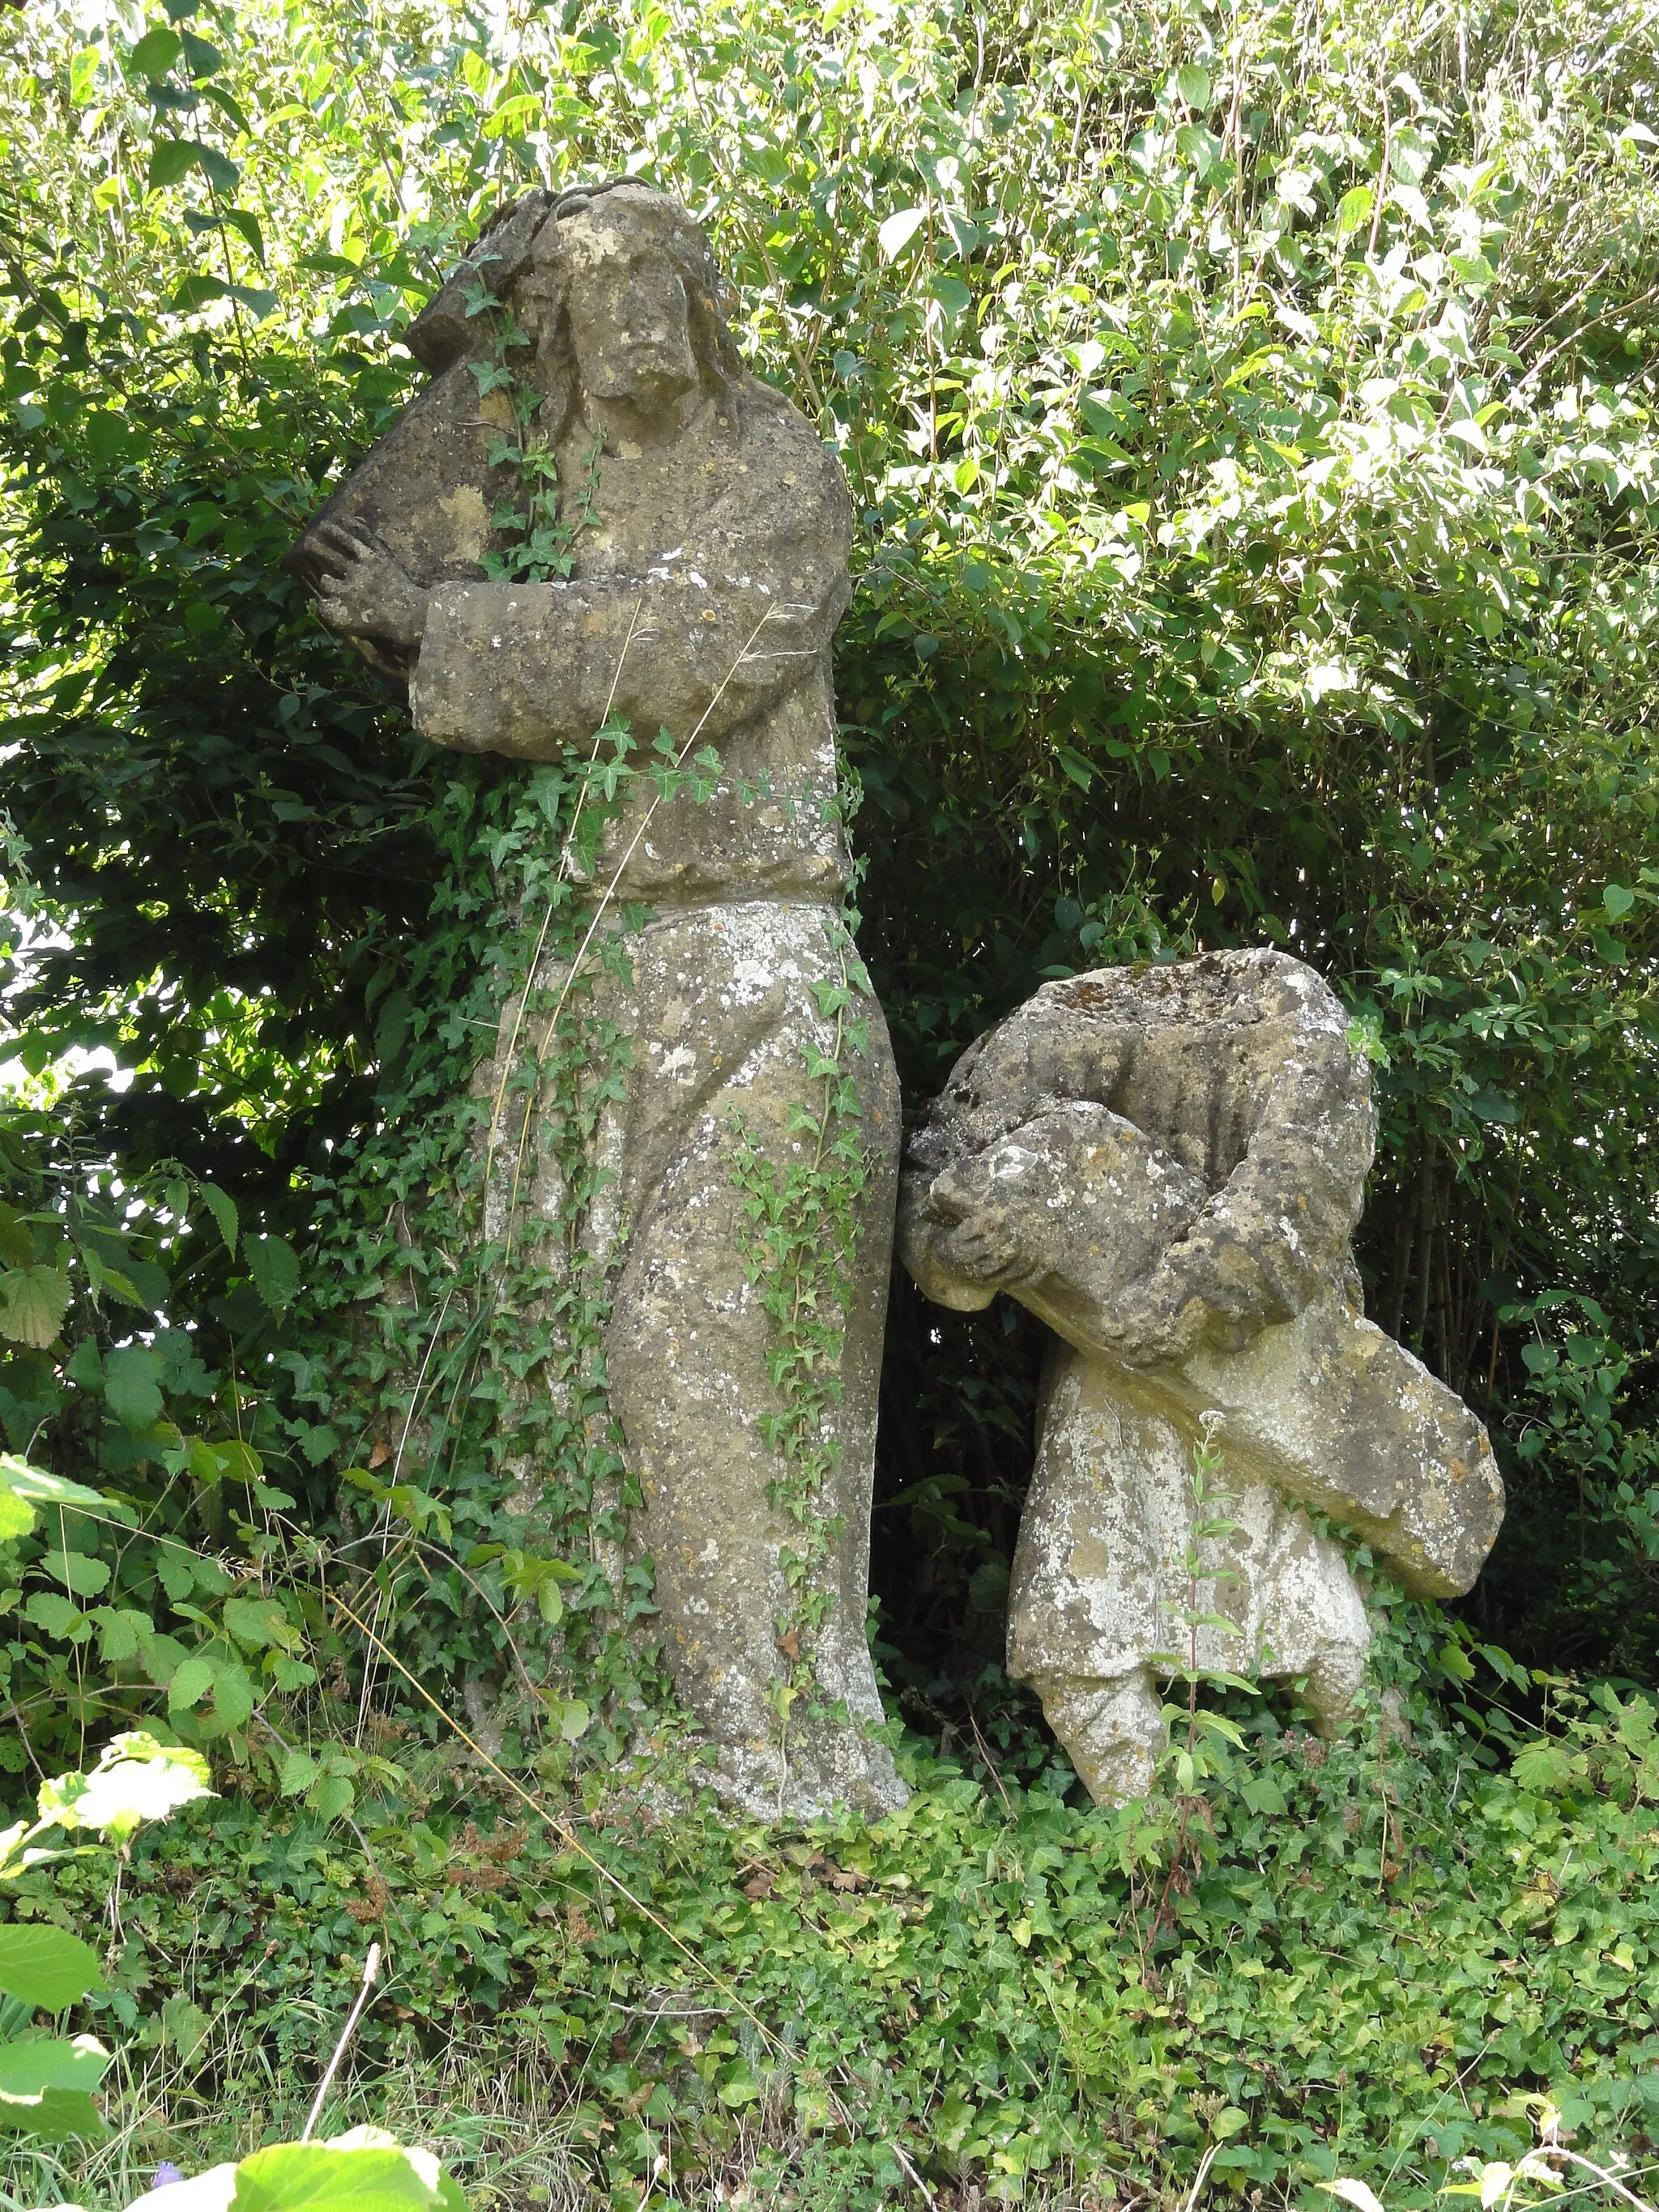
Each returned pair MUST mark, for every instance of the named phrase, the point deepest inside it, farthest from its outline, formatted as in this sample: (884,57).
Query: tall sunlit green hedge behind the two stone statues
(1251,421)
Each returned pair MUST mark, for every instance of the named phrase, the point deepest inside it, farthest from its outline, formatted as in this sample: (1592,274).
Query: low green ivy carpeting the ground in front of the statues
(1381,1957)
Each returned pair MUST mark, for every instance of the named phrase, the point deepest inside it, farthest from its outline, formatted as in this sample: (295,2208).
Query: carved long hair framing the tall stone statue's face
(552,236)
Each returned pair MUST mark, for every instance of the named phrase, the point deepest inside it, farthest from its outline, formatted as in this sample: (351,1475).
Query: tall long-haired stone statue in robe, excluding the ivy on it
(705,541)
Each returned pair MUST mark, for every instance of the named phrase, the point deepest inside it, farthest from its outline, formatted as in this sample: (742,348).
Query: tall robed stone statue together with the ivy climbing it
(598,536)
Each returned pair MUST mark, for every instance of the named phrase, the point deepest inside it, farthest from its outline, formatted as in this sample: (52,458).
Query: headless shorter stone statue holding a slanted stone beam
(1167,1165)
